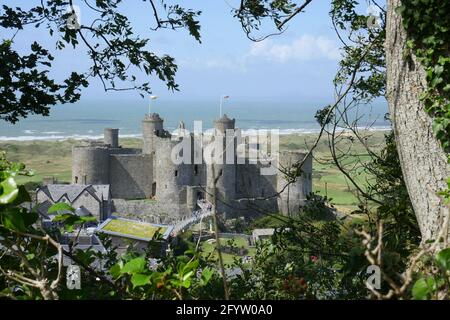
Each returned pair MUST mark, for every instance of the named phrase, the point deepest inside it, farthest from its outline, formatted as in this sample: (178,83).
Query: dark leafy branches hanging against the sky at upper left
(116,53)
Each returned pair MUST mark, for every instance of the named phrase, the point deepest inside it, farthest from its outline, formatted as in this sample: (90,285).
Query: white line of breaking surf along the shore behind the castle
(57,136)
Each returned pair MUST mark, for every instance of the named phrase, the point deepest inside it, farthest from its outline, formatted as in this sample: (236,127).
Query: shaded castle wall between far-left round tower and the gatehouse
(131,176)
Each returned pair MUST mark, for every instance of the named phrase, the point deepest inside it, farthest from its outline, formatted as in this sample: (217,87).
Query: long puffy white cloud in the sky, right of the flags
(305,48)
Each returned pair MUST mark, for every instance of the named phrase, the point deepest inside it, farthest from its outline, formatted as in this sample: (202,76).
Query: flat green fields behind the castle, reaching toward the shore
(53,159)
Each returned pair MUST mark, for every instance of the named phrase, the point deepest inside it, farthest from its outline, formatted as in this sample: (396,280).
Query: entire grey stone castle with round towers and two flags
(151,173)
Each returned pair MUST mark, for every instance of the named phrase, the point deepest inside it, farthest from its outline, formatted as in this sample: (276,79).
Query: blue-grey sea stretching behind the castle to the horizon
(87,119)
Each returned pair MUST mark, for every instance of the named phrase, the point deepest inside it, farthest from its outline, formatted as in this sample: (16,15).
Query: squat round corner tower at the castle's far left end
(90,164)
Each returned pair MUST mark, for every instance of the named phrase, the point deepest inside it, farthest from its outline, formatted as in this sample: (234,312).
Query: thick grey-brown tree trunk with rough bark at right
(423,161)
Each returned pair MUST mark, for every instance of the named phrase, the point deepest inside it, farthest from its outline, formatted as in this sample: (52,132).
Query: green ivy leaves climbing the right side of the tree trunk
(428,37)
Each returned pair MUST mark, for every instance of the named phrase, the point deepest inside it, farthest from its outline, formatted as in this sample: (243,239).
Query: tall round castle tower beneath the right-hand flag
(224,164)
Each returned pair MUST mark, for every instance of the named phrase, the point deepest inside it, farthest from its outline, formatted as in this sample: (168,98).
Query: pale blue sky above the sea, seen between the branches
(299,64)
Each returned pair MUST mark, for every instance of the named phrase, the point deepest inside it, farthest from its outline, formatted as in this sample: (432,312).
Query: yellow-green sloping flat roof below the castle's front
(137,229)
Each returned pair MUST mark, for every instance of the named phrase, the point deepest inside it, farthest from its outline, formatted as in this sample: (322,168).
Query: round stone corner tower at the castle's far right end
(293,195)
